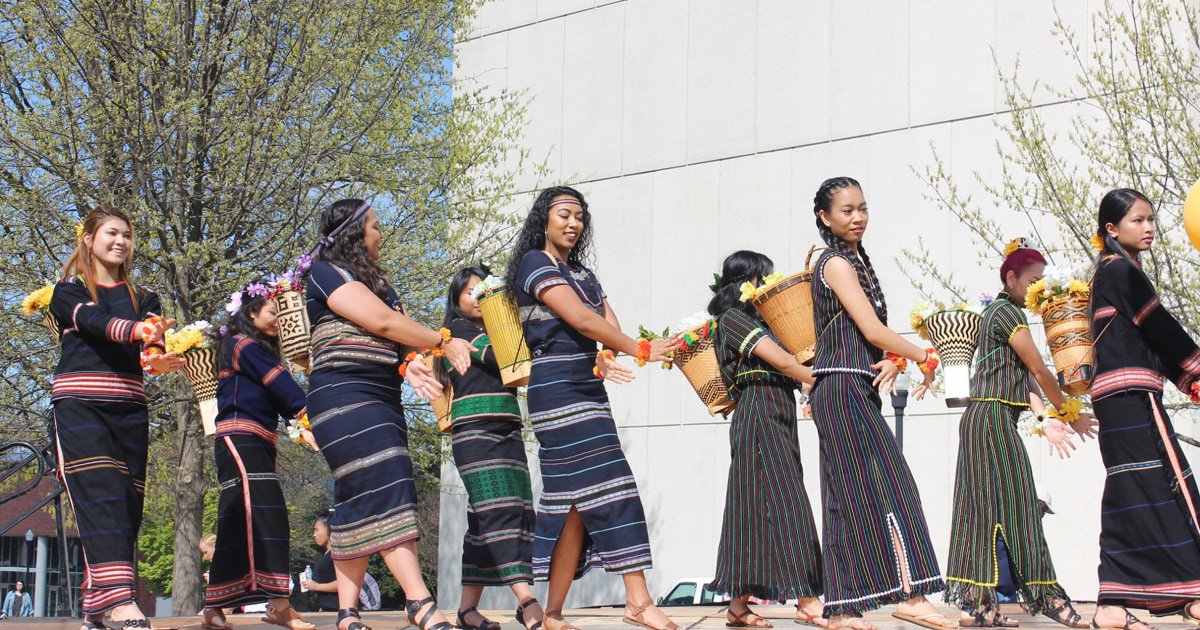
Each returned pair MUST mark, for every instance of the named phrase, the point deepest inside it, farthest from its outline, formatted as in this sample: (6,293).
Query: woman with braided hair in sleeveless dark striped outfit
(877,542)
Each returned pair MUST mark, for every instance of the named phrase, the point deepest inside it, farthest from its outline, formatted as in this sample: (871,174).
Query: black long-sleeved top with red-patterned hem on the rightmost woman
(1137,341)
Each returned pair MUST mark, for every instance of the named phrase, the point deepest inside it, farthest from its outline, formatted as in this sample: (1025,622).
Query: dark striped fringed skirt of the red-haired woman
(995,497)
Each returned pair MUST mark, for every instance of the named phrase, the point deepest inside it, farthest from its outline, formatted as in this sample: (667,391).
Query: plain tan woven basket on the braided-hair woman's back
(788,309)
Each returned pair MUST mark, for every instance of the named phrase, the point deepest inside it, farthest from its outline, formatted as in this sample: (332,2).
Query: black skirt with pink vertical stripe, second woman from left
(250,565)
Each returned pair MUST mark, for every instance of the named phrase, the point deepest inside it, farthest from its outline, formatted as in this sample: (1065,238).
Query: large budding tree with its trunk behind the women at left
(224,129)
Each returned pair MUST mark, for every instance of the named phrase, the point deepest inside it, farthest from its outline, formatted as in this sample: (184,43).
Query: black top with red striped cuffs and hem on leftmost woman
(100,359)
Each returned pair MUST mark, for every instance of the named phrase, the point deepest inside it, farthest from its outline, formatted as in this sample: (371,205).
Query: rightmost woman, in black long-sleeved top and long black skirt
(1150,547)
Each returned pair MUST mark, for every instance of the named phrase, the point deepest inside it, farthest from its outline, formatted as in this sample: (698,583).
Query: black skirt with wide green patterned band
(497,549)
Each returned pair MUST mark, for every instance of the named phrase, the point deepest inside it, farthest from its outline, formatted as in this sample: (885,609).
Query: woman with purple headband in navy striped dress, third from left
(359,334)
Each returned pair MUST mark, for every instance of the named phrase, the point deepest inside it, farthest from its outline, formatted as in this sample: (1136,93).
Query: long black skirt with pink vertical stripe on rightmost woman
(1150,548)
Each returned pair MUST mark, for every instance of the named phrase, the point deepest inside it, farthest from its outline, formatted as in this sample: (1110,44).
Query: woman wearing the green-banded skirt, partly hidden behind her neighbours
(489,452)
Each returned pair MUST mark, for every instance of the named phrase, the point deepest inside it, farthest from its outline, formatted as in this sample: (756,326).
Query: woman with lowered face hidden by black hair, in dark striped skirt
(770,545)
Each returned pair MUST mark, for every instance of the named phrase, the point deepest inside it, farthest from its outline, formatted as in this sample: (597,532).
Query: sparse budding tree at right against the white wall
(1136,127)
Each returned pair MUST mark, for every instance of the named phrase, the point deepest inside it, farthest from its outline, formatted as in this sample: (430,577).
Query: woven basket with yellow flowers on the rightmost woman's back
(1070,337)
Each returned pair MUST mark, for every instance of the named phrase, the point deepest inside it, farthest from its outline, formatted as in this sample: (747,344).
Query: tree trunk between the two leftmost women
(191,484)
